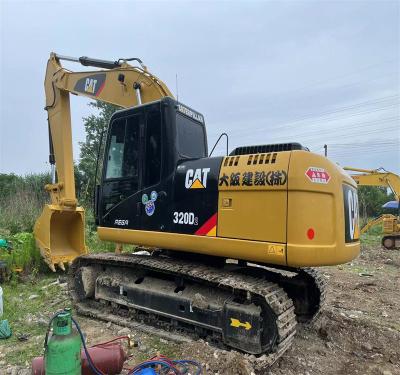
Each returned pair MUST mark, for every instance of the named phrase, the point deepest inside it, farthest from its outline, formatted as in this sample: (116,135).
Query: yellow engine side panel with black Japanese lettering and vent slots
(253,197)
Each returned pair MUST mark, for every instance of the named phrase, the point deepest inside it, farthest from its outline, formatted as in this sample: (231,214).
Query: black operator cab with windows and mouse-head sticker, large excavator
(143,148)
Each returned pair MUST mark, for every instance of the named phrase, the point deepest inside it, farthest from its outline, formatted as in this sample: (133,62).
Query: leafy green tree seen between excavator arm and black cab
(95,128)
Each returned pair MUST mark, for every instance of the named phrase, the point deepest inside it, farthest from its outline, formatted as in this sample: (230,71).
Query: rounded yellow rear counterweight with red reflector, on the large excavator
(319,207)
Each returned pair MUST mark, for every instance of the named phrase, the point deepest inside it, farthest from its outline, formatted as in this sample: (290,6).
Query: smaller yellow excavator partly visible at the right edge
(389,222)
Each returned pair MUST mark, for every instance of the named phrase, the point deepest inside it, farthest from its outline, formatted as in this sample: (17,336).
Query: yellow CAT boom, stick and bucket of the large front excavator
(60,230)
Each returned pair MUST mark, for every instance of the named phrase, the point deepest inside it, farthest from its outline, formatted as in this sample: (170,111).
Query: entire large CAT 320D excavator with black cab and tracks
(228,241)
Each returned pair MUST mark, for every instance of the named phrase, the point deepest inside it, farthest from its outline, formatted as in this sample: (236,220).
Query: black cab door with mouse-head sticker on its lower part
(134,194)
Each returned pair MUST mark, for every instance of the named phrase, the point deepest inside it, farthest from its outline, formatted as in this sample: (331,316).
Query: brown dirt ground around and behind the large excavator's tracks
(357,332)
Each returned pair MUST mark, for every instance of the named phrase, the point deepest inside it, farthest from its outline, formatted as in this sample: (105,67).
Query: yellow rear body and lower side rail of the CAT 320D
(298,223)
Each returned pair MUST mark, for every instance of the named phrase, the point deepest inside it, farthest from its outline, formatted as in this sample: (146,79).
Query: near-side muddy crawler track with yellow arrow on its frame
(110,286)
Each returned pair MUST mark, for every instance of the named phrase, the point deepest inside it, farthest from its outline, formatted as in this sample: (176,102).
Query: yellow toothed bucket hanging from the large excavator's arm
(60,235)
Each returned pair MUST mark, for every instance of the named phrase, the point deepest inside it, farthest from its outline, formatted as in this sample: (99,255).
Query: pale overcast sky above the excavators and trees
(315,72)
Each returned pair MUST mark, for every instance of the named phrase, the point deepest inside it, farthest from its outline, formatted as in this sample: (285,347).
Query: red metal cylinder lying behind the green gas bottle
(108,358)
